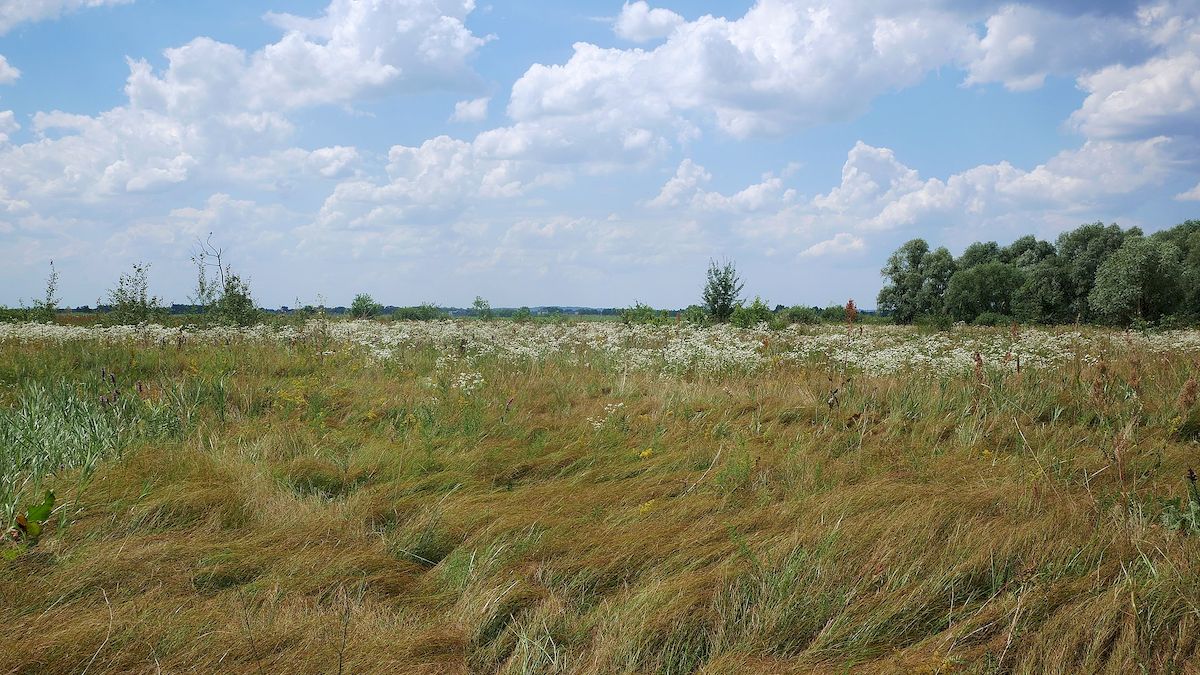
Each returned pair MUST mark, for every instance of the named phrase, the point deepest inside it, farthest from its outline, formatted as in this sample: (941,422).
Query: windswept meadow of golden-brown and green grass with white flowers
(593,498)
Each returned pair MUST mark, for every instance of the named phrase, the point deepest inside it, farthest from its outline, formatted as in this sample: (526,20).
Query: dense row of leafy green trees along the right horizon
(1094,274)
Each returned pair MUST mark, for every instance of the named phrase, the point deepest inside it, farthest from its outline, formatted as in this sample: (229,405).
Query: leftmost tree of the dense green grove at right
(917,282)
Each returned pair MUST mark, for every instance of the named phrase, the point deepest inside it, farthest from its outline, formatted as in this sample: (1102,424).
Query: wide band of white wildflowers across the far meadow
(669,350)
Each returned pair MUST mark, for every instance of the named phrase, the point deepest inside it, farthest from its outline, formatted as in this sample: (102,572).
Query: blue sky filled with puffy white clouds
(589,153)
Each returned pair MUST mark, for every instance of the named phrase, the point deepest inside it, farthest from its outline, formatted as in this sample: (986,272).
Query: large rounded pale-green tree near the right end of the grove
(1139,282)
